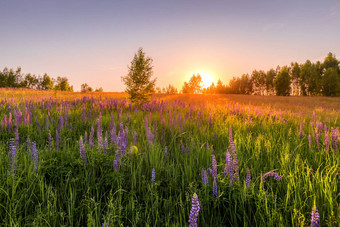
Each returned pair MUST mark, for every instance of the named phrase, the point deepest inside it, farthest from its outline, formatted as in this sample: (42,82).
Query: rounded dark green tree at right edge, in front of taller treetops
(331,82)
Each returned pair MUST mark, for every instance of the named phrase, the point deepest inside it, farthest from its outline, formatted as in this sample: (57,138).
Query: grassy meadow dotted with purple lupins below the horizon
(93,159)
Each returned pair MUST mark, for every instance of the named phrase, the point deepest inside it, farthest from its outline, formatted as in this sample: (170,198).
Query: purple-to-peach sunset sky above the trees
(95,41)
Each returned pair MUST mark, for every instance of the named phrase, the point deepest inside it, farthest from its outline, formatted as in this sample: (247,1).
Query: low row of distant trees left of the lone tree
(16,79)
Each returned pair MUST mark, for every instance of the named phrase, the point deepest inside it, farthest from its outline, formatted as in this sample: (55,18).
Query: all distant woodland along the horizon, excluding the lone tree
(308,79)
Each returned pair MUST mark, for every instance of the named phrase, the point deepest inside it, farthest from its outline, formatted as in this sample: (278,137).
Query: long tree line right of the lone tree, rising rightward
(307,79)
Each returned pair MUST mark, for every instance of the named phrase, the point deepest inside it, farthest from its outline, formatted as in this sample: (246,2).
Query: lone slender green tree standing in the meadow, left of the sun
(139,84)
